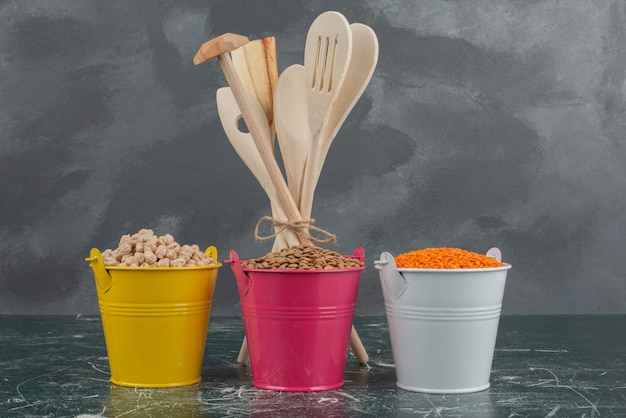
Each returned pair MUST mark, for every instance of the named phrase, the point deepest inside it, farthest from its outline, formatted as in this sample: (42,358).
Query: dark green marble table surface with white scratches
(544,366)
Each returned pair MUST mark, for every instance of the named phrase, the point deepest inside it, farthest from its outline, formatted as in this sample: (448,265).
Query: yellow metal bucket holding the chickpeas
(155,320)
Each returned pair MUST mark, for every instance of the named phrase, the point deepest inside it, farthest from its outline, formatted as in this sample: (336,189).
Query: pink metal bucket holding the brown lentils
(297,324)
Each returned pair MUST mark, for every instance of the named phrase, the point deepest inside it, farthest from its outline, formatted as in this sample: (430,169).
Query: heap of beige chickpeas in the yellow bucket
(145,249)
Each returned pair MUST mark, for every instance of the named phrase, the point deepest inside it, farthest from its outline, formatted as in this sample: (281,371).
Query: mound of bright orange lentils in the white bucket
(445,258)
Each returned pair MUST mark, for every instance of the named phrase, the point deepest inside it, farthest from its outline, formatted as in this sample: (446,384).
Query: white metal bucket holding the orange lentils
(443,324)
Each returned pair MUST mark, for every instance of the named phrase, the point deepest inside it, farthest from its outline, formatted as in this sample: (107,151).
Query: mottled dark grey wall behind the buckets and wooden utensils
(487,123)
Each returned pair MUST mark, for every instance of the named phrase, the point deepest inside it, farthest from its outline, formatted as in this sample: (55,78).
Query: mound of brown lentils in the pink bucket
(299,257)
